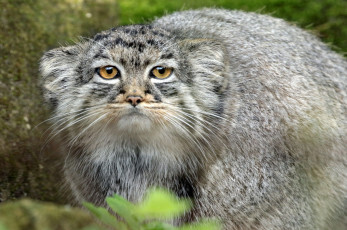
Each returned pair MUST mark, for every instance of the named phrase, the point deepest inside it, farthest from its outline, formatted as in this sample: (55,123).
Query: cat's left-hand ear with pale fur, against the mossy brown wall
(56,66)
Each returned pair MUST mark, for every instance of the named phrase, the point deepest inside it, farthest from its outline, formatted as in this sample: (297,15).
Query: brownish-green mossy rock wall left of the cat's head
(29,28)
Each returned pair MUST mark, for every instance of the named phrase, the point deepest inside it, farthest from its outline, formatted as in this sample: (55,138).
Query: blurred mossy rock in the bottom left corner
(35,215)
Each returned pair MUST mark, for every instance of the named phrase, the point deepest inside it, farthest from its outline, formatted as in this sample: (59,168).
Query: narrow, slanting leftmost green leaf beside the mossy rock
(103,215)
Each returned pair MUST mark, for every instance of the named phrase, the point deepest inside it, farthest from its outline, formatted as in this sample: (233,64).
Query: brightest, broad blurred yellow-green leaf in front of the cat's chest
(161,204)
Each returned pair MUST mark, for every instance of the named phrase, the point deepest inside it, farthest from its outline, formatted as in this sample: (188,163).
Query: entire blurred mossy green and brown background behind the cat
(28,166)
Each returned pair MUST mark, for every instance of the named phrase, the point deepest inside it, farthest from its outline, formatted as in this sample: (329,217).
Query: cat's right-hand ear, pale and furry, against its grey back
(208,61)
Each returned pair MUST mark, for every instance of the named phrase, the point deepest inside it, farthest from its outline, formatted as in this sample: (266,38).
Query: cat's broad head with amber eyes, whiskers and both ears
(136,81)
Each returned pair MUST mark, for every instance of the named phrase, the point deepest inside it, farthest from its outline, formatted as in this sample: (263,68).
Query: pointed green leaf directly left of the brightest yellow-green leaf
(124,209)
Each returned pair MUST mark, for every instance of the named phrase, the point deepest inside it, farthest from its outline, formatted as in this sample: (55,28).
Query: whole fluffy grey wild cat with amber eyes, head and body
(249,122)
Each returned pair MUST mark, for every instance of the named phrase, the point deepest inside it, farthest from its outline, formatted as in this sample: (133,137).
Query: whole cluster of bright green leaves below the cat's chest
(159,205)
